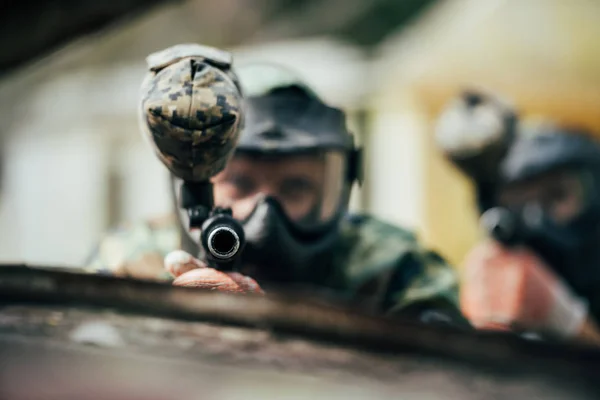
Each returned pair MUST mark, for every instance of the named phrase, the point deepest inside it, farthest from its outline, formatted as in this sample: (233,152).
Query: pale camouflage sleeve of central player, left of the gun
(136,251)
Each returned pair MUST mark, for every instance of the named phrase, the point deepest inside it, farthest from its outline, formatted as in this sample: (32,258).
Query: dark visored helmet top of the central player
(284,116)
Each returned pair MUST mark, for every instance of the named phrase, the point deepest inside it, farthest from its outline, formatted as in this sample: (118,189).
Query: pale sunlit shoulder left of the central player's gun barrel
(131,242)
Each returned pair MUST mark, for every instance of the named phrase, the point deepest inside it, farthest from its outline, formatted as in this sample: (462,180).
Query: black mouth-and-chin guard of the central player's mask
(282,251)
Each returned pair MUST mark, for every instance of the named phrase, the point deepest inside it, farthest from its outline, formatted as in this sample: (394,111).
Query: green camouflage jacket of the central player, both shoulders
(382,266)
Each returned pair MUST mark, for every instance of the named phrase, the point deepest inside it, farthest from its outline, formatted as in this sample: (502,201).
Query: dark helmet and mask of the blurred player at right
(550,203)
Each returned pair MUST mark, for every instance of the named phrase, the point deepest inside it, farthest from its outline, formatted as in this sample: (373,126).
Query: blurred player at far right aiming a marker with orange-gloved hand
(538,195)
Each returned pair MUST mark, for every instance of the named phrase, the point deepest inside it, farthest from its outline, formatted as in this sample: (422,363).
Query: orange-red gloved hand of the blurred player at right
(513,289)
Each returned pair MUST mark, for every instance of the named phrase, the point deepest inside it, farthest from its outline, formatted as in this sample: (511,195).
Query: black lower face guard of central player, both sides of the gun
(277,249)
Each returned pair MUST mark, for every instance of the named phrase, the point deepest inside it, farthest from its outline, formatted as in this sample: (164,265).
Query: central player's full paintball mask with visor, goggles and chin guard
(289,182)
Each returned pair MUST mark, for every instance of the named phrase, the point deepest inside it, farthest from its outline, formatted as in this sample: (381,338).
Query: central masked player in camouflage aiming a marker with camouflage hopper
(288,183)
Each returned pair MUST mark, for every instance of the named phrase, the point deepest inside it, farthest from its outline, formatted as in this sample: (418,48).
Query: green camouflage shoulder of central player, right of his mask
(389,260)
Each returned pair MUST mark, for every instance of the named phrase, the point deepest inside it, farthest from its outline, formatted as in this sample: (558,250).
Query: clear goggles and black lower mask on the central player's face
(289,207)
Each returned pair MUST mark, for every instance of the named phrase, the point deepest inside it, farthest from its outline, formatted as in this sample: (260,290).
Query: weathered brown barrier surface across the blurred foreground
(50,316)
